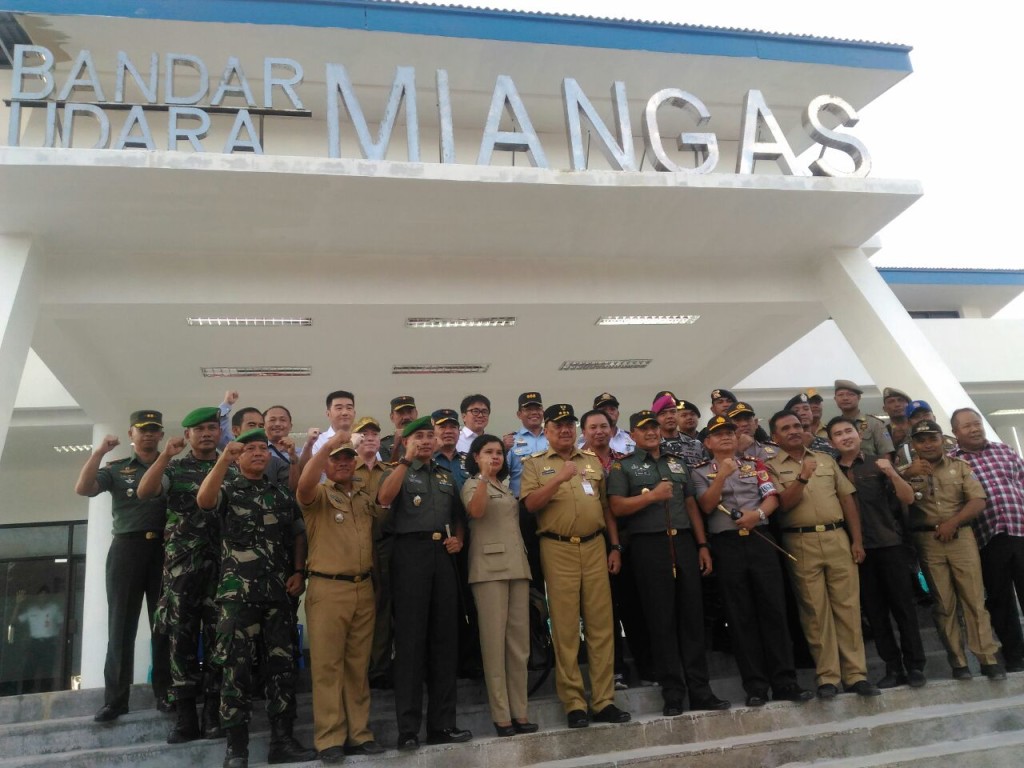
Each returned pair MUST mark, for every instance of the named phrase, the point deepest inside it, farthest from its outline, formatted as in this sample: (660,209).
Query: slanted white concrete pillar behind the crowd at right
(886,339)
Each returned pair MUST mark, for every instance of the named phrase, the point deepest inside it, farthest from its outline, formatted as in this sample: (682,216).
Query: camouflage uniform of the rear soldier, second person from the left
(192,565)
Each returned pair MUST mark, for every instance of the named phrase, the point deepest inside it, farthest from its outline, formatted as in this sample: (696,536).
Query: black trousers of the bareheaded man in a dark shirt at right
(885,591)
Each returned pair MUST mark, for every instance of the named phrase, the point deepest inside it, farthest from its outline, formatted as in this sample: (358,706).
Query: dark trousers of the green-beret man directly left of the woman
(426,633)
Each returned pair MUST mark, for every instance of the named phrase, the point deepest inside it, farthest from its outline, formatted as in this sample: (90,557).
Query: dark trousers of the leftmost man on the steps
(134,571)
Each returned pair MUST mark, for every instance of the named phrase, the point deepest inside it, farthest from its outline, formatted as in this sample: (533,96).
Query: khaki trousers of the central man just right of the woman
(577,576)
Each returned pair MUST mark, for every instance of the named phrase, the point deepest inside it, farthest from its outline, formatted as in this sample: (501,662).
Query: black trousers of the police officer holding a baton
(754,596)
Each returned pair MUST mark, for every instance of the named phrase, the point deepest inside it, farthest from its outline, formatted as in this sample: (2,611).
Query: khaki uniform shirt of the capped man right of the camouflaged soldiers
(340,531)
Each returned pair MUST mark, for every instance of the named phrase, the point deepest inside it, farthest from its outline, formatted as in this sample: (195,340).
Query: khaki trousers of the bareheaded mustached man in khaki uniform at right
(828,589)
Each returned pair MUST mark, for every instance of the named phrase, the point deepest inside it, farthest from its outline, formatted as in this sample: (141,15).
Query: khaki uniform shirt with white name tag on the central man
(572,510)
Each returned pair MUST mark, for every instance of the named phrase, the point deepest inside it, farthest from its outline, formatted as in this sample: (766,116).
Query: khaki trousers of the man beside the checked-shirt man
(954,574)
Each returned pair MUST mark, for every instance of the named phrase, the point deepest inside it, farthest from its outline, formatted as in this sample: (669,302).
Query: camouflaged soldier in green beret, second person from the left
(187,612)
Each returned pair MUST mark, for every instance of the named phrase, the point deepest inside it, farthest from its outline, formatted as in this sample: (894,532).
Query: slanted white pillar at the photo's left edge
(20,284)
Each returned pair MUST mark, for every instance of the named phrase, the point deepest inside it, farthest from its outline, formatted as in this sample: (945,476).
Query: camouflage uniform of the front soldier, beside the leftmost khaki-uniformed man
(258,535)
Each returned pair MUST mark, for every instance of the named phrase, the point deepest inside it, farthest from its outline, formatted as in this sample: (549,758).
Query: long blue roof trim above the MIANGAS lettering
(521,27)
